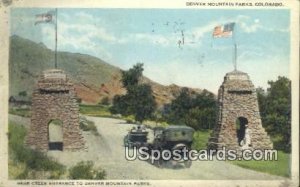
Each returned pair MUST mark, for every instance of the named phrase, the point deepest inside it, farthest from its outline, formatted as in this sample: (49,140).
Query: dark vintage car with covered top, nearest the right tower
(173,138)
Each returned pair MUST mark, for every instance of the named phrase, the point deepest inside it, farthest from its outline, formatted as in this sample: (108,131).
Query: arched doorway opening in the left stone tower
(55,135)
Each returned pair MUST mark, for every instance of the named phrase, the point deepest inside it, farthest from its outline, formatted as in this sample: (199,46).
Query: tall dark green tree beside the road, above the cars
(138,100)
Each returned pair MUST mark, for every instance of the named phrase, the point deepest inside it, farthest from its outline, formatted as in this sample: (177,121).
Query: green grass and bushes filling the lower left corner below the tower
(26,163)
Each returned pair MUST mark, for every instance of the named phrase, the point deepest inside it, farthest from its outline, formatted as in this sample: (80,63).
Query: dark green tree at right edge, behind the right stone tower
(275,109)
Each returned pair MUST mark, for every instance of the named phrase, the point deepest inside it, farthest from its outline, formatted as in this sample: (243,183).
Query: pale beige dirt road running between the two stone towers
(107,152)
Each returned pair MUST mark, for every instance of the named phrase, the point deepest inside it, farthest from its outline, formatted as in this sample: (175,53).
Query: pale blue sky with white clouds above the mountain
(124,37)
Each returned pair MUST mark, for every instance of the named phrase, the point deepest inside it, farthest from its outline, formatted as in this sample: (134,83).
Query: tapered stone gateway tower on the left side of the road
(54,102)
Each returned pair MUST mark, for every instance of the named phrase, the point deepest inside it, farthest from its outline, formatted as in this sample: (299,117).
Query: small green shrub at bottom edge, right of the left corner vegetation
(86,170)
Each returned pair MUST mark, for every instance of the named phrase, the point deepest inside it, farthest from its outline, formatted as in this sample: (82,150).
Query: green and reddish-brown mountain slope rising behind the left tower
(93,78)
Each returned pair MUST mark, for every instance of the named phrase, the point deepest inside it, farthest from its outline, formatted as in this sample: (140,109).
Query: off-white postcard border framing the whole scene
(292,5)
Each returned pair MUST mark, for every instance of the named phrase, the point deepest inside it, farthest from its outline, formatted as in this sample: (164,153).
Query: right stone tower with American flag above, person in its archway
(238,110)
